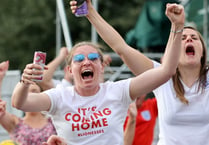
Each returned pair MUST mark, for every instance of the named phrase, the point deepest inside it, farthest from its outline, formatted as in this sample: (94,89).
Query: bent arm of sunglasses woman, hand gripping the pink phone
(30,102)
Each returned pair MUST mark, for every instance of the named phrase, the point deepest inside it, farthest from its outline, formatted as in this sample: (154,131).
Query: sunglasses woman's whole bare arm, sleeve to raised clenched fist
(155,77)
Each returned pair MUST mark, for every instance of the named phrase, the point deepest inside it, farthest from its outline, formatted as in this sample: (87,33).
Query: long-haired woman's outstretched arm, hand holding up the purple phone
(136,61)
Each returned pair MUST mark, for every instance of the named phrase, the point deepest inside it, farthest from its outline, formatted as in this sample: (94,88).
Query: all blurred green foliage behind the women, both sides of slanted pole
(30,25)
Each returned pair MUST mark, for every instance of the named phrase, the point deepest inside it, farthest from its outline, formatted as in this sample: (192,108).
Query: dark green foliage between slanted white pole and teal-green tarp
(122,15)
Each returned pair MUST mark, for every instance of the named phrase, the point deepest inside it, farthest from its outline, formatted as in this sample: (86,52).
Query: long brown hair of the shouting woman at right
(178,86)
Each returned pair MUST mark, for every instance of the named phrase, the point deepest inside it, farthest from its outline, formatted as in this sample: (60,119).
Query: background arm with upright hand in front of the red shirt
(129,132)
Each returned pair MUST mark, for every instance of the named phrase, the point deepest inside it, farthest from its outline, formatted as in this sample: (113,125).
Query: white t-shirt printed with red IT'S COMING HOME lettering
(93,120)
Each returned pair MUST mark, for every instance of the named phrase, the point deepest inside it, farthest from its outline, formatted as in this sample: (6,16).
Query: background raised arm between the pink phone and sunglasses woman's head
(47,82)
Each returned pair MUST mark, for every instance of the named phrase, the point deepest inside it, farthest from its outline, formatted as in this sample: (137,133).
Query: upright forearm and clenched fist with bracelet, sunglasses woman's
(176,15)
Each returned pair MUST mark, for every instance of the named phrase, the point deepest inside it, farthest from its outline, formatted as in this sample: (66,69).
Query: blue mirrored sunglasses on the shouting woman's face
(90,56)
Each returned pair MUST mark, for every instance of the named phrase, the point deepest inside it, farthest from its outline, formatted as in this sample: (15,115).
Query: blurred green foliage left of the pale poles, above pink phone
(26,26)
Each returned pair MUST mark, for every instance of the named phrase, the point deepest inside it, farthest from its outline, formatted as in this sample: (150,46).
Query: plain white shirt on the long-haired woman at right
(182,124)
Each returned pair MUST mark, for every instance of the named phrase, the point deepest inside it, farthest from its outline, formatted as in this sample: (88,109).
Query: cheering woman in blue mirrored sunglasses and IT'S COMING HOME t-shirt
(91,112)
